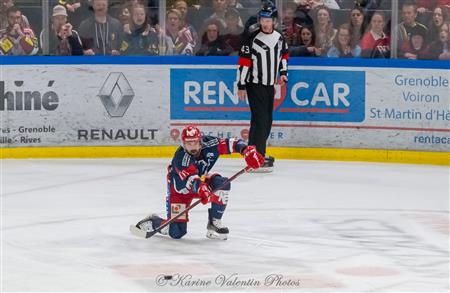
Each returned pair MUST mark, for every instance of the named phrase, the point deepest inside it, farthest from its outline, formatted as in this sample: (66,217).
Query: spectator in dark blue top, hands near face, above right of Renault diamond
(138,37)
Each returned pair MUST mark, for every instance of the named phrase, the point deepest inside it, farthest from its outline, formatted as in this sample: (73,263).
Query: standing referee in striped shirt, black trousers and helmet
(262,58)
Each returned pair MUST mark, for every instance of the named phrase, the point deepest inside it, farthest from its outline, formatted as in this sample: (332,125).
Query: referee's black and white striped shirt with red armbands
(262,57)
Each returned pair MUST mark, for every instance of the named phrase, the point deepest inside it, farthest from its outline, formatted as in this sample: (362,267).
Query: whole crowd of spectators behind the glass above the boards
(312,28)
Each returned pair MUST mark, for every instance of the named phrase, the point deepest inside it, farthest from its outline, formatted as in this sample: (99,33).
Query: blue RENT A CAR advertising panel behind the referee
(311,95)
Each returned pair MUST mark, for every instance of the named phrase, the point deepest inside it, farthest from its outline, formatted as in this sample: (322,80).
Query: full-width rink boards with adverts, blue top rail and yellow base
(370,110)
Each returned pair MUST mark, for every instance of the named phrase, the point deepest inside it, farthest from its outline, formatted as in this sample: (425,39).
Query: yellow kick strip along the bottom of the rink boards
(329,154)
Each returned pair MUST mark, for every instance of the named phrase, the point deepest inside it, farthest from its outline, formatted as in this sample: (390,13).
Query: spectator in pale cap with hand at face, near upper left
(61,40)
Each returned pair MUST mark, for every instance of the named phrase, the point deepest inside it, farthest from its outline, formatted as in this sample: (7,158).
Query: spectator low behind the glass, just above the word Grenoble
(416,47)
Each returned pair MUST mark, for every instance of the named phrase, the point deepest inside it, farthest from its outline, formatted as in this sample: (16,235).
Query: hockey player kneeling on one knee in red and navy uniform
(188,178)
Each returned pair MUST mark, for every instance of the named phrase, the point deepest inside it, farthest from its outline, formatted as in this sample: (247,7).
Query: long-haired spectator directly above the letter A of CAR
(323,27)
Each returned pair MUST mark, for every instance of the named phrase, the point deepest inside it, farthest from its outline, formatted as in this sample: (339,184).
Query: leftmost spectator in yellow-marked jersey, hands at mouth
(16,39)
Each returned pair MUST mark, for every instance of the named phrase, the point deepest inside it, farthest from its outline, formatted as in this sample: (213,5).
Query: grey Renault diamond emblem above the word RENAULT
(116,84)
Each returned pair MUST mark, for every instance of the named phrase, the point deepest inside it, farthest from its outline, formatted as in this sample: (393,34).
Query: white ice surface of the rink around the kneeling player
(309,226)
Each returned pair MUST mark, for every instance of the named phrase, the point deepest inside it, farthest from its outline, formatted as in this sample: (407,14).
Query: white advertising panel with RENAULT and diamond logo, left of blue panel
(71,105)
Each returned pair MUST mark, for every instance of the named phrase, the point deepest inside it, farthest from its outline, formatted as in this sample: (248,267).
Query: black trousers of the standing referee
(260,99)
